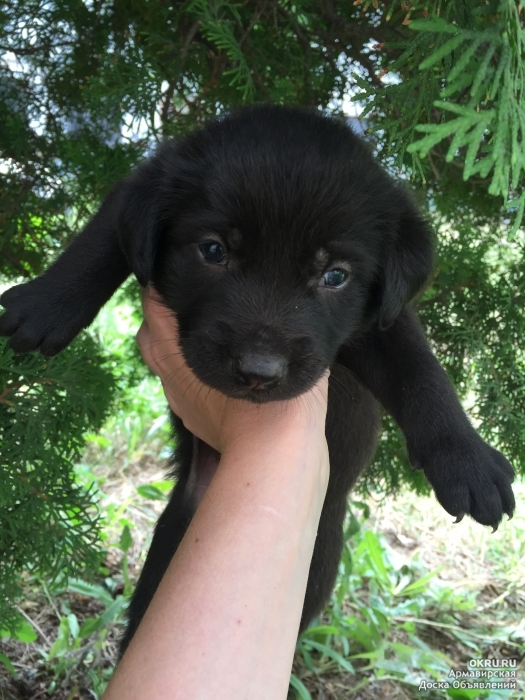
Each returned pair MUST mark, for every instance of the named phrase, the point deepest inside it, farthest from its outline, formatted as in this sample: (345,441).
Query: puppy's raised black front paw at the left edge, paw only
(37,318)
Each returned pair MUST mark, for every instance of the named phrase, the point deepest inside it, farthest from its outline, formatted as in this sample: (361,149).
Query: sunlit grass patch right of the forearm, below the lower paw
(416,598)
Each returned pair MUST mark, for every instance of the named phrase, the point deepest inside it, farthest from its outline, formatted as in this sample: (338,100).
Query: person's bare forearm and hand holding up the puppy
(248,548)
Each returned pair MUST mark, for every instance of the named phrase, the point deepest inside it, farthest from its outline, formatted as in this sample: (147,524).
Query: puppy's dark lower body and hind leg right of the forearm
(352,425)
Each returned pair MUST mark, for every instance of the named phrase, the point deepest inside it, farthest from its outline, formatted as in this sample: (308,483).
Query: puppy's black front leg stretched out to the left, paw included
(49,311)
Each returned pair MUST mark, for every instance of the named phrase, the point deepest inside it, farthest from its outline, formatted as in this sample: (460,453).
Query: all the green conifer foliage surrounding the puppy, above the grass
(89,87)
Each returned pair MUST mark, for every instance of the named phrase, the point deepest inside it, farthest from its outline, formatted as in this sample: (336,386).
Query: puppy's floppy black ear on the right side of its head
(408,262)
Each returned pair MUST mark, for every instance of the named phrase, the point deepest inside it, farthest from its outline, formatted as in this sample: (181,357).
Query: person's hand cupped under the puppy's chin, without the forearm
(213,417)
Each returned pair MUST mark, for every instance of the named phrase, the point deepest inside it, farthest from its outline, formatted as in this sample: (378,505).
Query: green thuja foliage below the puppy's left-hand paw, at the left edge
(48,523)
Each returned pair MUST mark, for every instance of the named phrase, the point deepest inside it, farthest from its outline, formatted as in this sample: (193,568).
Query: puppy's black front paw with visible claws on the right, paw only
(470,477)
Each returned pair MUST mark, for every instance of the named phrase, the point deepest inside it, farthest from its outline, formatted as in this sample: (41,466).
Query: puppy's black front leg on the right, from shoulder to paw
(398,366)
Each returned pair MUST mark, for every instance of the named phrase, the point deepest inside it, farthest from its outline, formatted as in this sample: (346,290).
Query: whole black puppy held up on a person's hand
(282,248)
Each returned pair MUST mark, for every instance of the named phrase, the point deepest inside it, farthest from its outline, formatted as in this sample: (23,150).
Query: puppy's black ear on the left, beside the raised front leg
(140,218)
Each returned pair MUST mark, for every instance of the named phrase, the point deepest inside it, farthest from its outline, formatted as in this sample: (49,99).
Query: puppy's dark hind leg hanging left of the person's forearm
(196,464)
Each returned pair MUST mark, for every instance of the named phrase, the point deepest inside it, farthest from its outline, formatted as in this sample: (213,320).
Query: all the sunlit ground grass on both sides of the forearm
(417,597)
